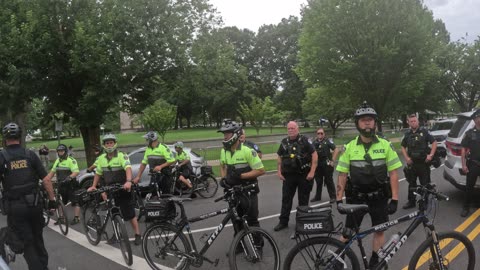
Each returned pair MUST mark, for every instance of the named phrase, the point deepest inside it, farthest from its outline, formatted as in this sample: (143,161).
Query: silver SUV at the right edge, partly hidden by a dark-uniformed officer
(453,163)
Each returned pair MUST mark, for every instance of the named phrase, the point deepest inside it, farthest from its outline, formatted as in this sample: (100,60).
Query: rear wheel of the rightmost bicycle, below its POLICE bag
(319,253)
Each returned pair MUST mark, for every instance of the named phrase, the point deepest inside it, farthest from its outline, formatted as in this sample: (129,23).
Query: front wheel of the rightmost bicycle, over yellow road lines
(457,252)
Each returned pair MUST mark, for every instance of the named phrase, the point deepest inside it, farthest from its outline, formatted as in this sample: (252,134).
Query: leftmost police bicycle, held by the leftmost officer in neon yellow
(60,212)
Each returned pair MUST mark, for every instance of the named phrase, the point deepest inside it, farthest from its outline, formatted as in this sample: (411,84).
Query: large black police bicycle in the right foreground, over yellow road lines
(441,250)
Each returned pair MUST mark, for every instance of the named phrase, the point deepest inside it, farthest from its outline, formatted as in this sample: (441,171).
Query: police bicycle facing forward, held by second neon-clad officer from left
(97,213)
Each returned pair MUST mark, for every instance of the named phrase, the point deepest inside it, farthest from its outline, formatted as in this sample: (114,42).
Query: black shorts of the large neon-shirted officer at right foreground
(376,208)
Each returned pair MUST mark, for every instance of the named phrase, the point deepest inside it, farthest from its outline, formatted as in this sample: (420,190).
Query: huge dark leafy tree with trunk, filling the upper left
(87,56)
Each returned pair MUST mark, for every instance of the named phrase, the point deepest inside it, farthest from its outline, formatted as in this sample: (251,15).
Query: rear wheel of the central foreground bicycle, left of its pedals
(165,247)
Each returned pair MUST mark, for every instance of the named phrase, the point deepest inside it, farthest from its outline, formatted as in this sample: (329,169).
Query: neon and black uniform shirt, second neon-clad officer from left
(113,170)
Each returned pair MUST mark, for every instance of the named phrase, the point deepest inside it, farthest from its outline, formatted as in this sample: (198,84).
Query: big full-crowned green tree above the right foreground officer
(373,50)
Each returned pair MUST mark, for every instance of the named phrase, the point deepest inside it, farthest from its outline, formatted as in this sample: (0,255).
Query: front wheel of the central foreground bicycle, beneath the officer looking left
(254,249)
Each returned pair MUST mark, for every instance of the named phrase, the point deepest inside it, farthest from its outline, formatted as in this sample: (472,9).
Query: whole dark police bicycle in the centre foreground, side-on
(165,245)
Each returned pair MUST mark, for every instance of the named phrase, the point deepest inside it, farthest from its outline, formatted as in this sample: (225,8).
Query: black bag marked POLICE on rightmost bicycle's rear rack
(314,220)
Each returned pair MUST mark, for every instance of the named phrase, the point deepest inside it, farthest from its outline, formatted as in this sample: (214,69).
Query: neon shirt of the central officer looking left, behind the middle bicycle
(243,159)
